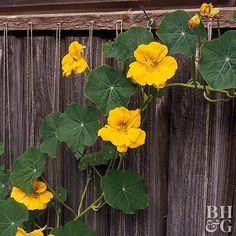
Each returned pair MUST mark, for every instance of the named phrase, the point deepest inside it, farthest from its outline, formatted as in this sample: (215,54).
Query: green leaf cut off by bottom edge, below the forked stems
(76,228)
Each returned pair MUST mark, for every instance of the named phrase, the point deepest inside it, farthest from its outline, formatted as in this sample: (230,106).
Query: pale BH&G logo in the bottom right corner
(219,218)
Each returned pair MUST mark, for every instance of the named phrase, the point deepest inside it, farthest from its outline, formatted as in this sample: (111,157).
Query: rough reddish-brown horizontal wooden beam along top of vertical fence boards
(102,20)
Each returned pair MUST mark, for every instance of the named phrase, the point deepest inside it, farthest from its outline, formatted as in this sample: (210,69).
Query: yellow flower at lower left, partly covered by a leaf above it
(37,200)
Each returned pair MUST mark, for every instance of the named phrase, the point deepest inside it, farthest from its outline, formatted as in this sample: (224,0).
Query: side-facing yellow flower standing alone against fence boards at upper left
(74,60)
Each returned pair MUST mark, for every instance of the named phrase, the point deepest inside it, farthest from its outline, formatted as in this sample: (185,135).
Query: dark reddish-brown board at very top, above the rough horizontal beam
(10,7)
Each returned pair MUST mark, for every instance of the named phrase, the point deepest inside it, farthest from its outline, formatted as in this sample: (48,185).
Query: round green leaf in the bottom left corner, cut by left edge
(12,215)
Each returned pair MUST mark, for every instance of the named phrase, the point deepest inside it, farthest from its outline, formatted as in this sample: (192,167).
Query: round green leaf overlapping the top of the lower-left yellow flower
(27,167)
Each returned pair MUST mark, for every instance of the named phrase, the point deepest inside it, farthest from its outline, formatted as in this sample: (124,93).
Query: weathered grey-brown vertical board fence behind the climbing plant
(188,161)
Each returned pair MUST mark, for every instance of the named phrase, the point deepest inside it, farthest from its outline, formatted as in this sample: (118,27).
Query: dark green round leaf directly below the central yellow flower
(124,190)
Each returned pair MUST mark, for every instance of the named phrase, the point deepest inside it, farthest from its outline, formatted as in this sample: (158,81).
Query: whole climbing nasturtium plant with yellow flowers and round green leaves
(102,135)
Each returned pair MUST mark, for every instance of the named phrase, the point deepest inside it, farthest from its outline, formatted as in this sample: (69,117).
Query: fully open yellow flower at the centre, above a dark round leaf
(123,129)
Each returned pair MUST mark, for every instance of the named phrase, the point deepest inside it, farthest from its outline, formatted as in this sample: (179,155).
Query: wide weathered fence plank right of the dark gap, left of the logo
(187,159)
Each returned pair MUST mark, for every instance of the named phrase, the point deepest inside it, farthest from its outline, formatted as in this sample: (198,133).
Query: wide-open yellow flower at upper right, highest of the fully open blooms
(152,66)
